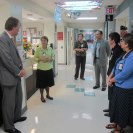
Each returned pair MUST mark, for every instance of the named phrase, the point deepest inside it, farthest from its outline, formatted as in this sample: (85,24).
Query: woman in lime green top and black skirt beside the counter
(44,56)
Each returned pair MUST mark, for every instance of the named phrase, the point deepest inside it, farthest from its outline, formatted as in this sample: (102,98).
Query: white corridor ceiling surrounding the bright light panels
(49,7)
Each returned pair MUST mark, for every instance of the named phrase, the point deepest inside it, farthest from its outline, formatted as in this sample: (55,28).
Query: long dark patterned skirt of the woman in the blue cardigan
(121,107)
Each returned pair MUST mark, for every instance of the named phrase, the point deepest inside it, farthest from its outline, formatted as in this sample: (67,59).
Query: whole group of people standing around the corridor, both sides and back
(120,74)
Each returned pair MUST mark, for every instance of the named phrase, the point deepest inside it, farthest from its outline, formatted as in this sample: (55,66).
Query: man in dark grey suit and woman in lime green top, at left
(11,71)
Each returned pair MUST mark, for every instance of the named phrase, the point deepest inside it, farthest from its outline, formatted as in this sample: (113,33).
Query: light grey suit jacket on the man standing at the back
(104,52)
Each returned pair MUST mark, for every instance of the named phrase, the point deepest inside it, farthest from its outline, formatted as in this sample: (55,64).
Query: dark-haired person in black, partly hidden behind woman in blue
(116,51)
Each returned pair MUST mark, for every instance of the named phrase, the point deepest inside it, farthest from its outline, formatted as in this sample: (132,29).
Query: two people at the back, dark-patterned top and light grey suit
(100,61)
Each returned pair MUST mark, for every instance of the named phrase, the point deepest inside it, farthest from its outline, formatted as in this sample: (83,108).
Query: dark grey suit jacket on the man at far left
(10,62)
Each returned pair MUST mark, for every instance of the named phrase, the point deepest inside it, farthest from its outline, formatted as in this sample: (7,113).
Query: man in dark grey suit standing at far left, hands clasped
(11,71)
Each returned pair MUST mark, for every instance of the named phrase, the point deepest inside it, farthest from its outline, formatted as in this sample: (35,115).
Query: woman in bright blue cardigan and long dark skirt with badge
(121,109)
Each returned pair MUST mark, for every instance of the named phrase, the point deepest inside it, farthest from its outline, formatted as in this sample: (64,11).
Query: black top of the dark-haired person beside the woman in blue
(115,54)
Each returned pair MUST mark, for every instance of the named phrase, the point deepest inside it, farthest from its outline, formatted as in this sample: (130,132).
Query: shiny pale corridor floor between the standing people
(70,111)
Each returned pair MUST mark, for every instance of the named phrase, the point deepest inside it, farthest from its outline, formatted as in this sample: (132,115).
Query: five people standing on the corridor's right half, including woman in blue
(119,50)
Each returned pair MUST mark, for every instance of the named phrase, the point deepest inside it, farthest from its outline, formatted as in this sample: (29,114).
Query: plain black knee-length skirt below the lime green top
(44,78)
